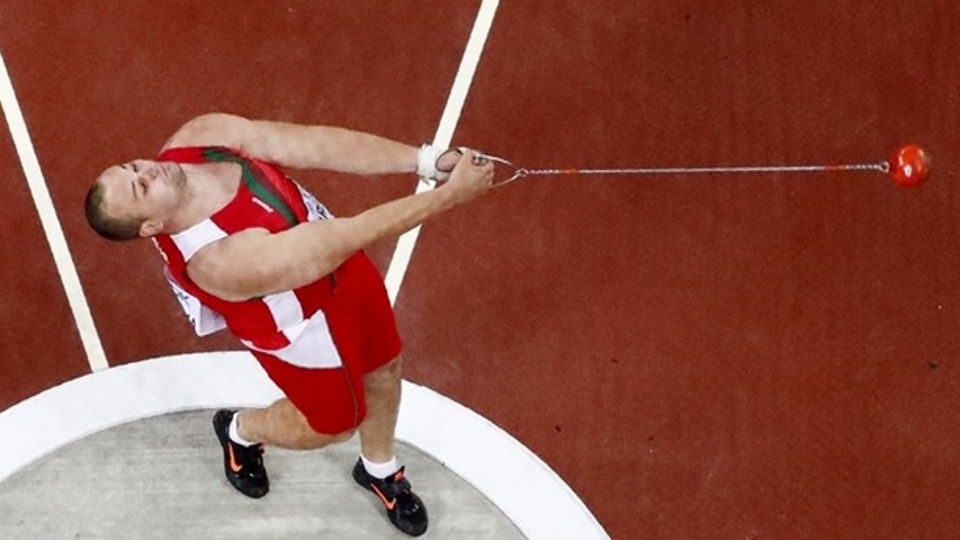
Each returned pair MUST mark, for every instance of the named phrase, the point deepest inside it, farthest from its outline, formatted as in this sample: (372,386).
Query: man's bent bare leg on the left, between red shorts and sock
(283,425)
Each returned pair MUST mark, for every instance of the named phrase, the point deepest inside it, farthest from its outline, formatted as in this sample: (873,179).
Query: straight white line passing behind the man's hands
(448,123)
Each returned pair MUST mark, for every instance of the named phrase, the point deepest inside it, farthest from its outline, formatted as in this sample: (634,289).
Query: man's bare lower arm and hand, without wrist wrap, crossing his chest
(255,262)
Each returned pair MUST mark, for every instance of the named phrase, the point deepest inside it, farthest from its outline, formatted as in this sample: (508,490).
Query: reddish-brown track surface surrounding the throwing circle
(765,356)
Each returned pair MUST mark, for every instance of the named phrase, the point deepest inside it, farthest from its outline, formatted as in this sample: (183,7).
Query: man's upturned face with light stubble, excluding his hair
(148,191)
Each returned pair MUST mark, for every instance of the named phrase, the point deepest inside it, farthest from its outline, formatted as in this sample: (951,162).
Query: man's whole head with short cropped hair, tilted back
(135,200)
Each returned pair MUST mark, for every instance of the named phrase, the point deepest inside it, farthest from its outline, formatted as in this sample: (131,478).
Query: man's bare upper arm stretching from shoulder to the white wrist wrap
(299,146)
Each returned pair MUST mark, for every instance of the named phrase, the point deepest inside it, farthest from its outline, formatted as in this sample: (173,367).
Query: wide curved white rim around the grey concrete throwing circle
(524,488)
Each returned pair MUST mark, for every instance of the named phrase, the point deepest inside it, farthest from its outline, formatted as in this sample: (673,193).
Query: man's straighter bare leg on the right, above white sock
(377,431)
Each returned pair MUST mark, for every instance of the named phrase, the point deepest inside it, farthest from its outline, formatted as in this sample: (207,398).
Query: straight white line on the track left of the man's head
(51,224)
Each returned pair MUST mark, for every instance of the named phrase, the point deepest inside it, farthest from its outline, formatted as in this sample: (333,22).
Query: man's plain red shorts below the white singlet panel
(364,330)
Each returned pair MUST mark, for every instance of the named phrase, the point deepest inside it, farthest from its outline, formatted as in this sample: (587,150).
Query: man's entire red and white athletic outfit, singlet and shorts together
(302,337)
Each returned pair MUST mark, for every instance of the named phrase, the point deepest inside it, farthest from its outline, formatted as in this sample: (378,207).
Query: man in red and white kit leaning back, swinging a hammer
(247,248)
